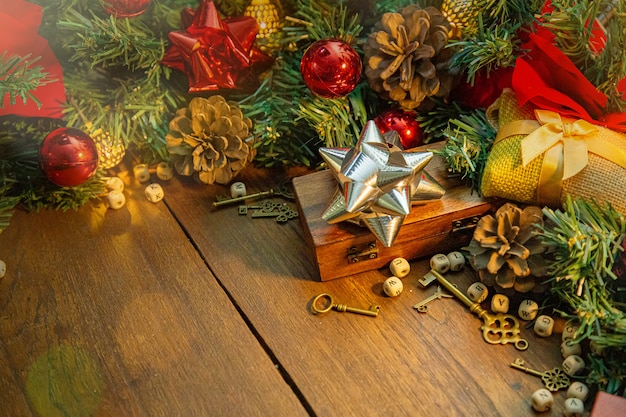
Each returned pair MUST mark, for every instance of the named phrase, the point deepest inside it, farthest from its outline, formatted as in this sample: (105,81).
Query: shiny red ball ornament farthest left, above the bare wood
(68,157)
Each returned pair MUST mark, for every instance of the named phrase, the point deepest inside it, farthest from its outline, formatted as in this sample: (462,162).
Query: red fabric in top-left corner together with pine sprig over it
(28,67)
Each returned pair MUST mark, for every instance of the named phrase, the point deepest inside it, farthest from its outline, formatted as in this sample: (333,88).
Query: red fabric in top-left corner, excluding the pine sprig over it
(19,23)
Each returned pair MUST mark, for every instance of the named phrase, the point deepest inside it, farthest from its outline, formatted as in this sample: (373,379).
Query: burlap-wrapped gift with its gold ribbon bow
(540,158)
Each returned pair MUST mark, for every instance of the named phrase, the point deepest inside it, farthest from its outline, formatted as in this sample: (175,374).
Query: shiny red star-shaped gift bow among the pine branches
(216,53)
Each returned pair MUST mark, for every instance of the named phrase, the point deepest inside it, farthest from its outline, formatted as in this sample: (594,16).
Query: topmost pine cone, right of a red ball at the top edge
(407,60)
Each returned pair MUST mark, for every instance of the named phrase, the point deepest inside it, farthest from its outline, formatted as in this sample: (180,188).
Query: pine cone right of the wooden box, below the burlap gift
(506,251)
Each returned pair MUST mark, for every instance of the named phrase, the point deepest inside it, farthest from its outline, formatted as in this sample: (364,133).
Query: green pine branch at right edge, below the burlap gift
(586,242)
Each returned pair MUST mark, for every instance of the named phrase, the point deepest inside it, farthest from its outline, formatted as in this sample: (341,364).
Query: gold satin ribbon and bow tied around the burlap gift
(565,143)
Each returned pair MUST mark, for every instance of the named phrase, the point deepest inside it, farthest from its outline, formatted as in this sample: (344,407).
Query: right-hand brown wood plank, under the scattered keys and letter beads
(401,363)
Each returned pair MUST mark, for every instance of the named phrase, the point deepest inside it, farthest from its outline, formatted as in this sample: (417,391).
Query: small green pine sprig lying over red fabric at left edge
(19,78)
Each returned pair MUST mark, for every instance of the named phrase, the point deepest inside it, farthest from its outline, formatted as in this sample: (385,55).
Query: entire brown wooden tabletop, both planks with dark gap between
(180,309)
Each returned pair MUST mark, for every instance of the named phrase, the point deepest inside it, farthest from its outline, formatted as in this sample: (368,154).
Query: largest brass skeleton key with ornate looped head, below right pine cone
(497,328)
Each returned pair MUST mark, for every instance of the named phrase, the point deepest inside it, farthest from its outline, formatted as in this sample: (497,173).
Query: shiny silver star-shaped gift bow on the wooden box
(376,183)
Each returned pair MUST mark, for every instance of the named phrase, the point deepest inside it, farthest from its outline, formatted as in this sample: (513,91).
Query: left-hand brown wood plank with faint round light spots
(114,313)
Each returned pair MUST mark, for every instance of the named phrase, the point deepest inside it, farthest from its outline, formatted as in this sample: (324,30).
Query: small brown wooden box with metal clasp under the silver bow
(437,226)
